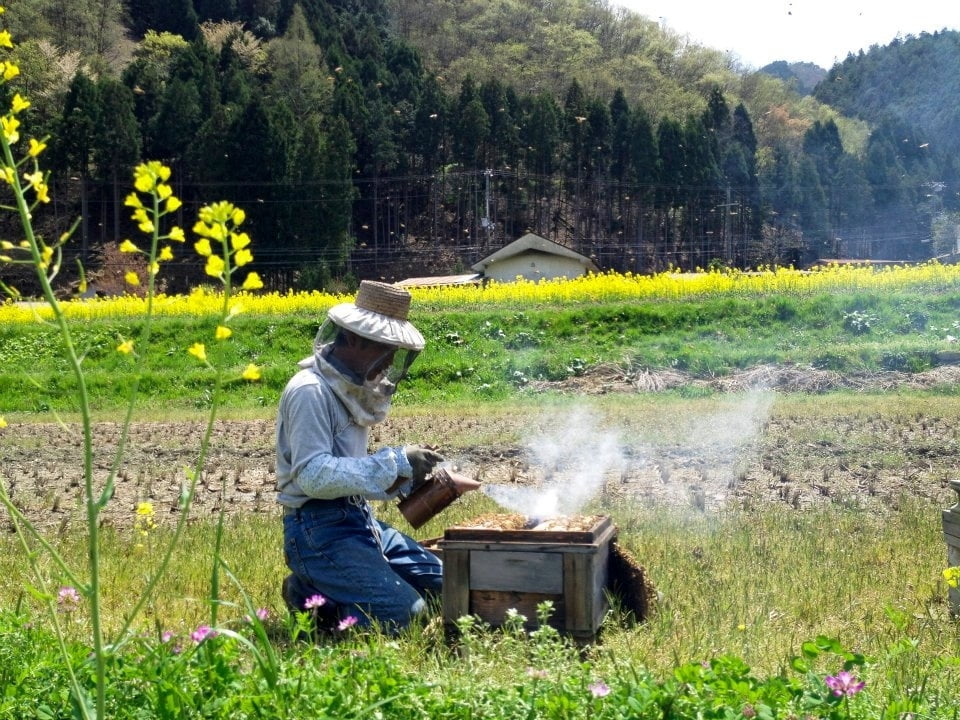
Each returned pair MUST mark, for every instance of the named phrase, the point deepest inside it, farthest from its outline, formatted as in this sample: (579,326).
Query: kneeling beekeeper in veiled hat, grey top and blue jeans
(341,558)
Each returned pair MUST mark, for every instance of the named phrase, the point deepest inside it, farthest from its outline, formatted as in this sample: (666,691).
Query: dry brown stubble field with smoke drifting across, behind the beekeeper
(594,434)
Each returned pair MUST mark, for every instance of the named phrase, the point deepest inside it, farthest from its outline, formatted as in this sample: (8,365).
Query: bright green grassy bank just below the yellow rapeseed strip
(492,352)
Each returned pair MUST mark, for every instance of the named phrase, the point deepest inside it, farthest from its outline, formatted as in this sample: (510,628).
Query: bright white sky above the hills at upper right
(817,31)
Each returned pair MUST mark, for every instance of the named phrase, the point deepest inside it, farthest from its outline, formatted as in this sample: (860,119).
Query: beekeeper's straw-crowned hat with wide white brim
(379,313)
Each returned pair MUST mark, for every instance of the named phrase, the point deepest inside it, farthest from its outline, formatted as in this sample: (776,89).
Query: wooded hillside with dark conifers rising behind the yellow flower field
(388,138)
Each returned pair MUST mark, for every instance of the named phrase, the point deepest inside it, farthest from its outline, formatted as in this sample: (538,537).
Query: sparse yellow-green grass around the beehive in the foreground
(754,585)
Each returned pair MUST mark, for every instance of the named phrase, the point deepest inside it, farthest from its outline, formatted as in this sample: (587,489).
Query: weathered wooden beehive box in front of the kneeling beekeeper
(486,572)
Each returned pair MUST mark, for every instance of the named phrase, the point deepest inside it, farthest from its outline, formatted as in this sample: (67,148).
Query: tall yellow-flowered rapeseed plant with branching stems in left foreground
(151,202)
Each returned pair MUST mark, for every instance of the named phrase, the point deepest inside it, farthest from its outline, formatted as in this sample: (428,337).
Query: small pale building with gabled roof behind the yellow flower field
(534,258)
